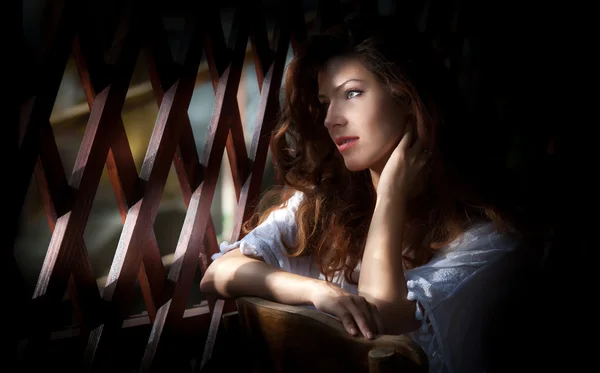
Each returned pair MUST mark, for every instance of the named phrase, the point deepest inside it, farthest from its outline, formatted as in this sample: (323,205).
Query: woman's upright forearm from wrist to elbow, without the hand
(382,281)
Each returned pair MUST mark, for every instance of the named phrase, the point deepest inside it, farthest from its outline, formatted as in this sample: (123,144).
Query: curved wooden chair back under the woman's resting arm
(275,338)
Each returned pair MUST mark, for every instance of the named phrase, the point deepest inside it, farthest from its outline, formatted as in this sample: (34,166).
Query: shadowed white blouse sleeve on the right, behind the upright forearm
(453,293)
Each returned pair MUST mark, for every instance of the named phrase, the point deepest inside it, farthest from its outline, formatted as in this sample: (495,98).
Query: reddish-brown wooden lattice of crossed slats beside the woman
(105,64)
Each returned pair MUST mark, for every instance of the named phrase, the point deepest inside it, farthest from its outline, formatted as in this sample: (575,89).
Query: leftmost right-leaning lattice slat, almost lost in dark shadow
(34,113)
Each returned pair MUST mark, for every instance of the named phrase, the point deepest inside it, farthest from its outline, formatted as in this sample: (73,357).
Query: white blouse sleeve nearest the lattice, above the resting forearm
(266,240)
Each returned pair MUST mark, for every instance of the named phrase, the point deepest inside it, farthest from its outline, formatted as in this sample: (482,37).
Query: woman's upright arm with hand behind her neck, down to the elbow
(382,281)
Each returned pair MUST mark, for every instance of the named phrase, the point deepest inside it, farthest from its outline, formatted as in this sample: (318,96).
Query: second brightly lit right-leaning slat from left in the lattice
(140,218)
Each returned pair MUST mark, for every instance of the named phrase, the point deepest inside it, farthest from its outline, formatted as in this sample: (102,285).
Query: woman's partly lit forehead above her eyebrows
(339,69)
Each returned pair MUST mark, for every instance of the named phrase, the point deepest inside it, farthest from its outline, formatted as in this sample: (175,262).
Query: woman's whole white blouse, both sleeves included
(454,291)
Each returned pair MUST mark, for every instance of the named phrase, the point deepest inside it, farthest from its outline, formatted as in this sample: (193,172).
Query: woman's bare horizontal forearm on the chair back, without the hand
(236,275)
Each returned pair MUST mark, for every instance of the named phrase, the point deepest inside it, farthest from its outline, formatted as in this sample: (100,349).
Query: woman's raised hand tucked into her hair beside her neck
(402,172)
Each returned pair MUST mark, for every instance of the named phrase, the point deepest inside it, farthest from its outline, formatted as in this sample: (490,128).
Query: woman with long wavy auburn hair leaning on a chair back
(377,223)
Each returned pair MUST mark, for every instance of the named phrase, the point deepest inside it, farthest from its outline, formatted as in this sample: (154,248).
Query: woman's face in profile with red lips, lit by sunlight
(363,119)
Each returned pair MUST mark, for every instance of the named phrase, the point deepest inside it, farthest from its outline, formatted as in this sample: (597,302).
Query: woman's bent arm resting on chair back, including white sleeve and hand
(263,273)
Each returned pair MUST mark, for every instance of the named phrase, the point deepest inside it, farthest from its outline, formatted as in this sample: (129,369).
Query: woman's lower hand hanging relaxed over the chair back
(354,311)
